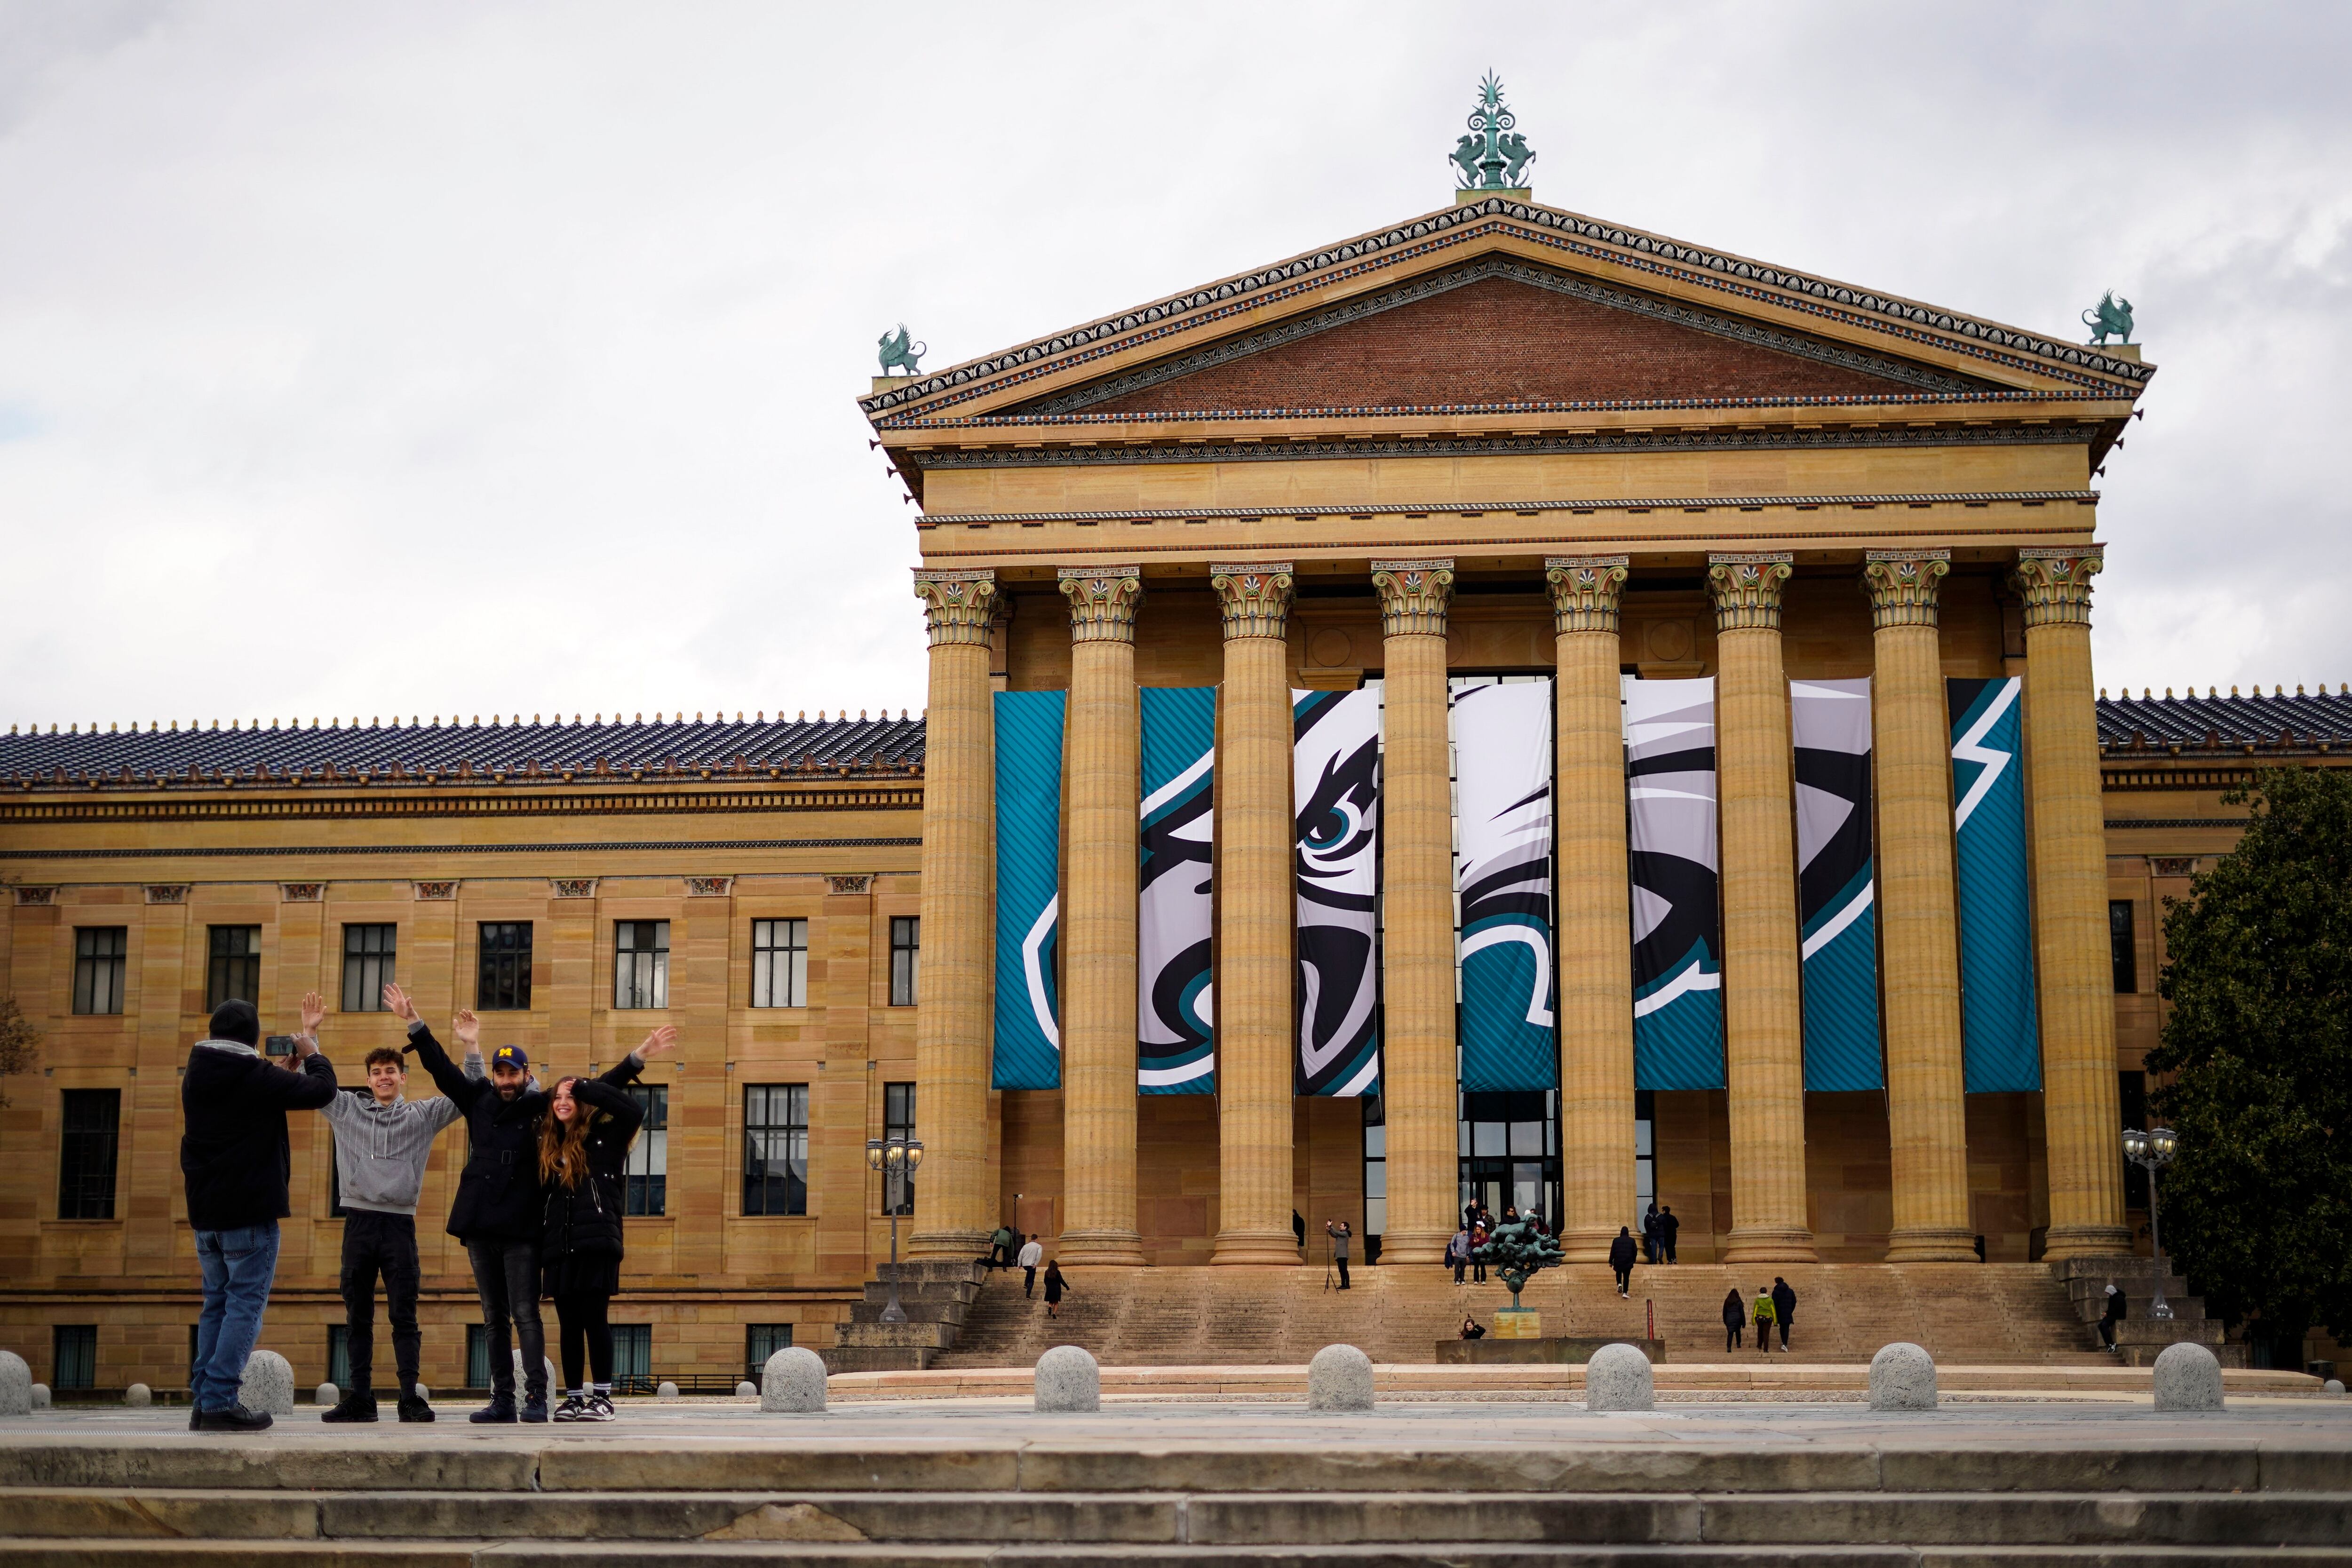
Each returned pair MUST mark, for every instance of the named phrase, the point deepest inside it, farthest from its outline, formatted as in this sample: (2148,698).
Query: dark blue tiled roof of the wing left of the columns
(479,749)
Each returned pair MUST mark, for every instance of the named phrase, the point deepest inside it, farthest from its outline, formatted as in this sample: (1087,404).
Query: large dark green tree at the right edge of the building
(2259,1036)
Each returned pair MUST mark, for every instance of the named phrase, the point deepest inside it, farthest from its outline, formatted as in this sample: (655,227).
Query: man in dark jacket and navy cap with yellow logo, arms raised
(500,1207)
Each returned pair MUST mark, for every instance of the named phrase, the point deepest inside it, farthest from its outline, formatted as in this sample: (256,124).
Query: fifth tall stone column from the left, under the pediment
(1596,927)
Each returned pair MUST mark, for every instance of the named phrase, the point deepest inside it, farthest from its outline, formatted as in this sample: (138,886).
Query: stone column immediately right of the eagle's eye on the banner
(1417,944)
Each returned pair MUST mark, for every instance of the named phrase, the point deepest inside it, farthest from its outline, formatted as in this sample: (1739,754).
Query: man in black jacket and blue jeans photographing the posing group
(236,1162)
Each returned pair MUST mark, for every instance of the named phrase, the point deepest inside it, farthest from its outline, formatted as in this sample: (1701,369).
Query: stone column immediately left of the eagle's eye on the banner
(1255,920)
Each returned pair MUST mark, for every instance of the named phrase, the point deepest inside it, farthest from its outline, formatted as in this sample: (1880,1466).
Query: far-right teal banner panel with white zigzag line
(2000,1043)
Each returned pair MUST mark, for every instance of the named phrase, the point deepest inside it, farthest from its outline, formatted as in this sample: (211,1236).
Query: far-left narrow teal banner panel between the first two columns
(1029,885)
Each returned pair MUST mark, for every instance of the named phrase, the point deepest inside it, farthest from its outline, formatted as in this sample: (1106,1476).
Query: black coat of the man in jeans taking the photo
(234,1153)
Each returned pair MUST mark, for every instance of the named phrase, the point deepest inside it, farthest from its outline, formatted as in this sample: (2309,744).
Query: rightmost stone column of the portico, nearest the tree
(2071,906)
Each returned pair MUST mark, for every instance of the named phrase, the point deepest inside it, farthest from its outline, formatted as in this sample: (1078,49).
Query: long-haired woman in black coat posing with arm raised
(582,1165)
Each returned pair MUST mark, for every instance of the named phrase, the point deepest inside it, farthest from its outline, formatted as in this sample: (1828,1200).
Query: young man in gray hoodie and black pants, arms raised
(382,1144)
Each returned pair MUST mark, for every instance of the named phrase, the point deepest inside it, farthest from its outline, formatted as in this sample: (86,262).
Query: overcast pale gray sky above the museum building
(488,359)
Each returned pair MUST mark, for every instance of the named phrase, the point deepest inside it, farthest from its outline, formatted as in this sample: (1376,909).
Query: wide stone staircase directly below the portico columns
(1963,1313)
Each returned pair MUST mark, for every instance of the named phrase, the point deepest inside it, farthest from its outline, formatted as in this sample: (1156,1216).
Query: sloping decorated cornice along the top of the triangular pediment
(1546,227)
